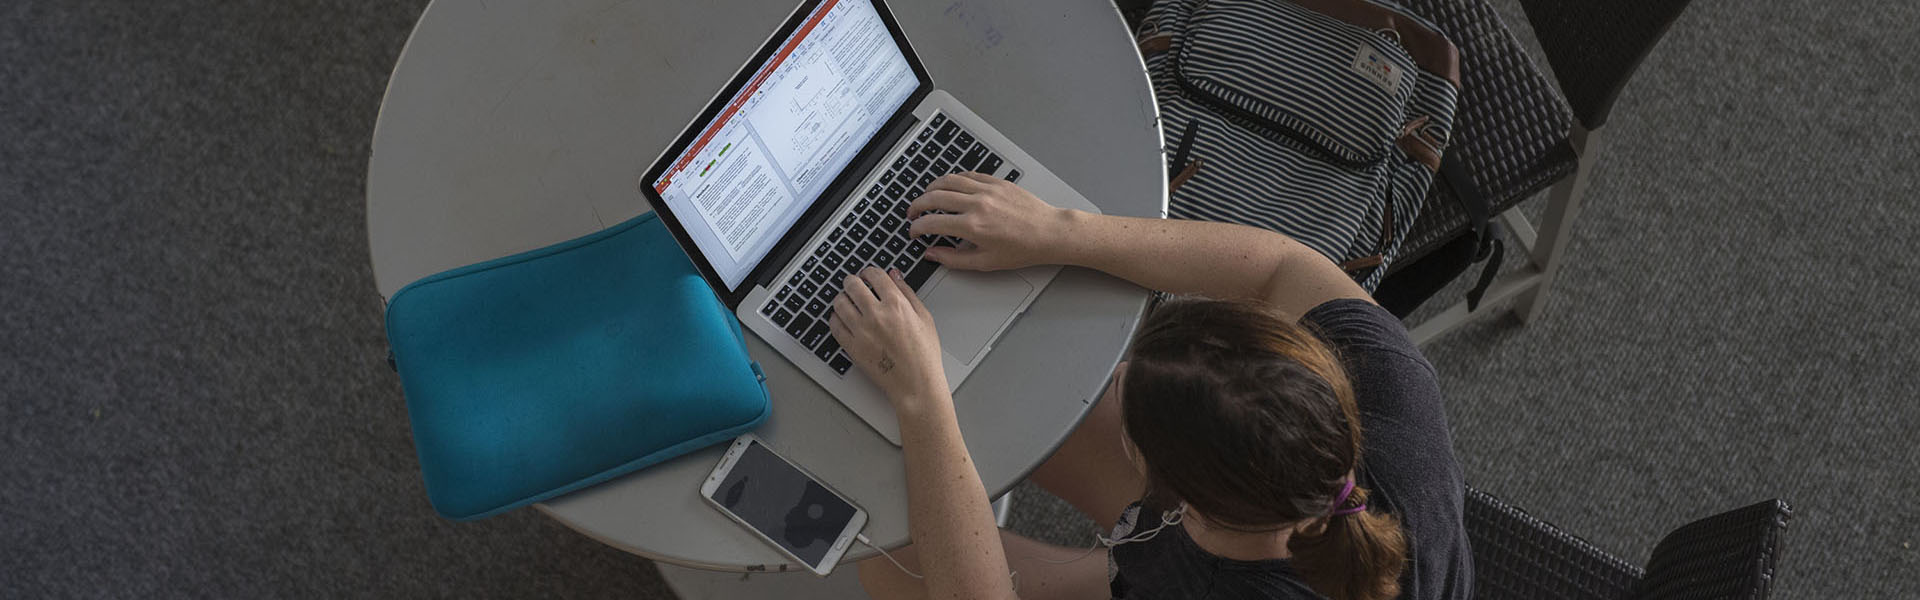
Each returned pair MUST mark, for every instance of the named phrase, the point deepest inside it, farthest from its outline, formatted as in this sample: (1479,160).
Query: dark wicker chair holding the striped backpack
(1516,136)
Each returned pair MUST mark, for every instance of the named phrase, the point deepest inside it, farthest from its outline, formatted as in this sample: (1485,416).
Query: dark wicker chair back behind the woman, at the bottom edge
(1723,557)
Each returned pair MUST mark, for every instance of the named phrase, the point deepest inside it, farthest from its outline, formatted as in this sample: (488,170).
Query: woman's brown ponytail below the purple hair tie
(1355,557)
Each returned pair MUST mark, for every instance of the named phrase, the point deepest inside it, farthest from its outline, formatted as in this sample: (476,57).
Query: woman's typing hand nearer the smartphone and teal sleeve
(890,336)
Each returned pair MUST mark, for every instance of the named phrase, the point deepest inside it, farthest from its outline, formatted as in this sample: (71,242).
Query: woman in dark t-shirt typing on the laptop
(1282,443)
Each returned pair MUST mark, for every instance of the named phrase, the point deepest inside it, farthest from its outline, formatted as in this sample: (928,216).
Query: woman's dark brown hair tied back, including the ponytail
(1251,420)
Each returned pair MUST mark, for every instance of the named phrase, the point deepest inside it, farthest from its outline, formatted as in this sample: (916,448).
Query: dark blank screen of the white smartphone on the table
(784,505)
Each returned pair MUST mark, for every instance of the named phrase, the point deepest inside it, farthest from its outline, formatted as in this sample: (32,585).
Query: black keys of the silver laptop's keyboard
(875,234)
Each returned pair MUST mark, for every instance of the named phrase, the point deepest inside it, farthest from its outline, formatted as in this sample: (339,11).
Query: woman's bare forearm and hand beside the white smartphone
(892,337)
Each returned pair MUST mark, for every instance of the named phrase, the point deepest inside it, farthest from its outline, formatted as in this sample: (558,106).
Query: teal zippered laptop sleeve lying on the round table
(548,372)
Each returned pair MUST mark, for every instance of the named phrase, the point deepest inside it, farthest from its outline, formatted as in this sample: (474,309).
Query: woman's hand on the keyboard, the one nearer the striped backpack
(1003,226)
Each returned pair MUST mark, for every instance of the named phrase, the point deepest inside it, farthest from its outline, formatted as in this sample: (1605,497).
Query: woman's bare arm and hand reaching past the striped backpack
(1009,228)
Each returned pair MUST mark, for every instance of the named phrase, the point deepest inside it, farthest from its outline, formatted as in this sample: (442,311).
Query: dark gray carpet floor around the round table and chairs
(195,403)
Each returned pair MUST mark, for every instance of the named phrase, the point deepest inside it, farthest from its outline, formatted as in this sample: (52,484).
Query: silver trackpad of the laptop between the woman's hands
(971,307)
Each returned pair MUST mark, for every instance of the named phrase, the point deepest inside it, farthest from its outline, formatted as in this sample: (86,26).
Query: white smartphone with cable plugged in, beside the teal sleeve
(784,505)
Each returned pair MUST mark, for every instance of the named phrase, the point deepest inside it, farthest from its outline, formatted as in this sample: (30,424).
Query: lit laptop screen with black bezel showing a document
(786,136)
